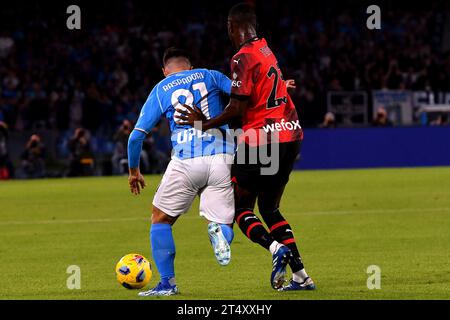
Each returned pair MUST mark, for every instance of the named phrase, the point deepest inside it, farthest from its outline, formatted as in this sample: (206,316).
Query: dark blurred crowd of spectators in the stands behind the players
(90,84)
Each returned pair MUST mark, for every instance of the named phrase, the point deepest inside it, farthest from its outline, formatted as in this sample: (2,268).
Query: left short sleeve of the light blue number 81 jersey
(151,112)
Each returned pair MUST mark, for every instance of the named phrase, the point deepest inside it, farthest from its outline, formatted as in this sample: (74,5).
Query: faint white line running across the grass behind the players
(107,220)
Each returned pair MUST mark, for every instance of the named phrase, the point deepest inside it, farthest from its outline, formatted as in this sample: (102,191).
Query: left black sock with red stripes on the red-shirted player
(253,228)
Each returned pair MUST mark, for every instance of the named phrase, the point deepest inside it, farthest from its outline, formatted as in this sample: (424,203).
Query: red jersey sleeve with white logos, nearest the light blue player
(243,71)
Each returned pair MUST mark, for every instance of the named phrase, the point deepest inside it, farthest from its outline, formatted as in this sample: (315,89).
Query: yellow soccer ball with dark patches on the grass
(133,271)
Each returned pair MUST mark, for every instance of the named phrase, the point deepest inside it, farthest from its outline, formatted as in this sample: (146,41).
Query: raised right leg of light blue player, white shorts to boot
(217,206)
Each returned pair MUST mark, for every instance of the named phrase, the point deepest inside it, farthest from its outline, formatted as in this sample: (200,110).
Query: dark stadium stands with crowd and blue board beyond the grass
(54,80)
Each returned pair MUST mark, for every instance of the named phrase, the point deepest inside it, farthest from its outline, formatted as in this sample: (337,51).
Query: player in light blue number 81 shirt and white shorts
(200,163)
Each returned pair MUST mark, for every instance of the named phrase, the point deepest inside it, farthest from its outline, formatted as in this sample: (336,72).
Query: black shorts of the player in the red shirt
(263,168)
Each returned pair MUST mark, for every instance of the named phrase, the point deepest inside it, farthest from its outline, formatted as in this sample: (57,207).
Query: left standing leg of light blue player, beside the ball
(172,199)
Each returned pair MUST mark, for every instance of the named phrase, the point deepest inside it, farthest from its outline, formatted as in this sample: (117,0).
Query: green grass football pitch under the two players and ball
(344,221)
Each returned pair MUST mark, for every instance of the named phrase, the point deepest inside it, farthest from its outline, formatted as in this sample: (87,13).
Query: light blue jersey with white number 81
(200,87)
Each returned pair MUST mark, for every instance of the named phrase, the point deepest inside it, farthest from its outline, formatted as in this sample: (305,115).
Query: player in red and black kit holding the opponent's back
(259,98)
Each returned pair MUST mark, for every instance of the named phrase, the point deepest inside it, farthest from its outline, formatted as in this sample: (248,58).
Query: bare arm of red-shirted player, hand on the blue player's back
(233,111)
